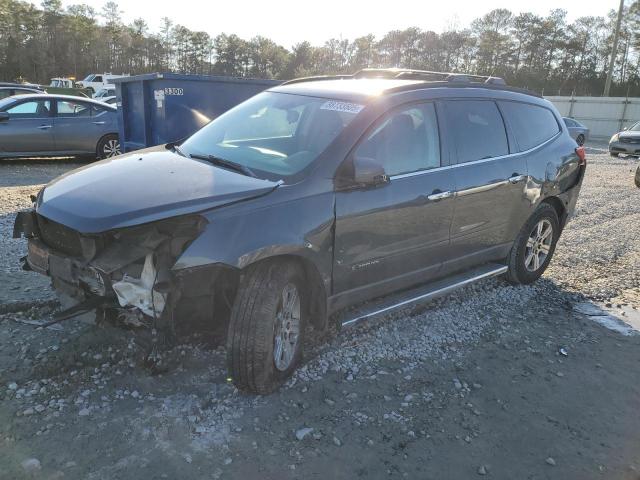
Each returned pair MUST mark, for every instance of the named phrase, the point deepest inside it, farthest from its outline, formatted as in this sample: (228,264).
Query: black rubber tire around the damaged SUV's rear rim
(519,271)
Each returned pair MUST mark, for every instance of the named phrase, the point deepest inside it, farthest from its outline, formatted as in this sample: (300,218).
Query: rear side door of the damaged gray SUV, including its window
(491,183)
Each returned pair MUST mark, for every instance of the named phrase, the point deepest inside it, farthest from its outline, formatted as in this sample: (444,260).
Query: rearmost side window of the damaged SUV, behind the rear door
(531,125)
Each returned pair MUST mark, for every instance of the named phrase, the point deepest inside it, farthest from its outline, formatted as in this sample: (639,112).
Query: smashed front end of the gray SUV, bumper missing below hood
(129,269)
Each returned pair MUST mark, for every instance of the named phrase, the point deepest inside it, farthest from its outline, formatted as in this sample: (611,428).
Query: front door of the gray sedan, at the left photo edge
(28,129)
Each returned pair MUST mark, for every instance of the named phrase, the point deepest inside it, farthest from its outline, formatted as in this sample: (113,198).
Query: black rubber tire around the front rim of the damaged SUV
(251,338)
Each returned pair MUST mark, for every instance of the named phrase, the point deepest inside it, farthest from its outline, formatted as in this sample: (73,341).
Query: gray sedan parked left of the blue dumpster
(57,125)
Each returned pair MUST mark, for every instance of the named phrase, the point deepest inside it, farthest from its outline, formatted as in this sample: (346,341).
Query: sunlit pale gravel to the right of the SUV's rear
(599,253)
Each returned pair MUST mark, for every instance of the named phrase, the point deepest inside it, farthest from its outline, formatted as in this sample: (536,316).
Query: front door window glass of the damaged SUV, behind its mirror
(405,141)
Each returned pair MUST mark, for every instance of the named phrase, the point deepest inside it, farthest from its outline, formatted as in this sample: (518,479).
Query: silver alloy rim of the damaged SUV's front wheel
(287,327)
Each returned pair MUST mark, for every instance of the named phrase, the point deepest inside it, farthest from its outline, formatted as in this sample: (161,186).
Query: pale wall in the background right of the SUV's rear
(603,115)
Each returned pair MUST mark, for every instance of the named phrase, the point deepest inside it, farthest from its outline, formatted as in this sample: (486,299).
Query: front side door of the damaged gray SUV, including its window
(397,234)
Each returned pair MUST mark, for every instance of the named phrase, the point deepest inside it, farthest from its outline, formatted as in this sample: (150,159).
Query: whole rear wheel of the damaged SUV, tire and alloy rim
(534,246)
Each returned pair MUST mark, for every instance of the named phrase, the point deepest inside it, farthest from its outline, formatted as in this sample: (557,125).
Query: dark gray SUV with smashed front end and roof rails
(308,199)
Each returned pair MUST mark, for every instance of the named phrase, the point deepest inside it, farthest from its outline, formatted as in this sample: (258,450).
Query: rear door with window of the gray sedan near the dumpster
(78,126)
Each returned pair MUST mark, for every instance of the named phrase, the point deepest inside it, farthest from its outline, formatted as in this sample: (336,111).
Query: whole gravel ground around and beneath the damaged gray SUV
(493,380)
